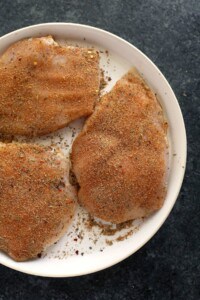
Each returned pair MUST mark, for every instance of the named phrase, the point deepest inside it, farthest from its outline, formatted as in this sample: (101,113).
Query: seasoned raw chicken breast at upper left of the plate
(44,86)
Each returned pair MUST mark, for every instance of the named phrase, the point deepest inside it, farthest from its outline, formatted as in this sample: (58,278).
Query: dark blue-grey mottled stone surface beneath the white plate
(168,32)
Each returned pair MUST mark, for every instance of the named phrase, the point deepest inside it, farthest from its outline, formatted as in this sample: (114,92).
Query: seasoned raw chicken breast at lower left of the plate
(36,200)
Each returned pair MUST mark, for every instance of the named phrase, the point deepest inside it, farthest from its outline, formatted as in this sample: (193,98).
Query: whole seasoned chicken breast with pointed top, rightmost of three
(120,157)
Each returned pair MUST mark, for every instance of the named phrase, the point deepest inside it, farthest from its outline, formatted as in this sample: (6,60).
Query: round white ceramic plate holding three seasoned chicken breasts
(72,256)
